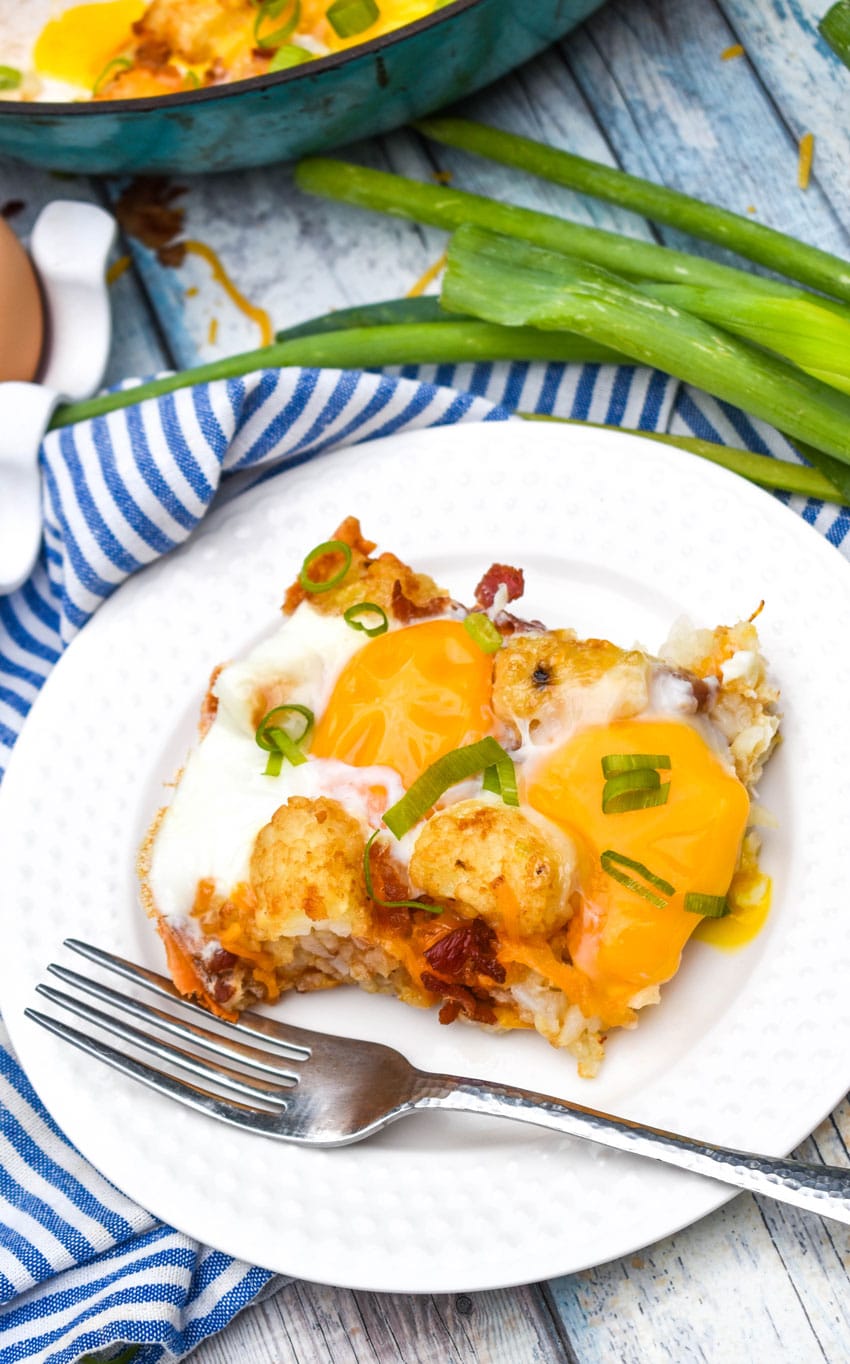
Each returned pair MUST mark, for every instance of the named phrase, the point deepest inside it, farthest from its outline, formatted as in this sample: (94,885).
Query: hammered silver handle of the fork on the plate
(818,1189)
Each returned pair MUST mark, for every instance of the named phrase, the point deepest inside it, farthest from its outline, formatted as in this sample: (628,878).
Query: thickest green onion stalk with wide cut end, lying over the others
(515,284)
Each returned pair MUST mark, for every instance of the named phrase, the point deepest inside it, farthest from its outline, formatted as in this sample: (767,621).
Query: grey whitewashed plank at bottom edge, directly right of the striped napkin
(309,1322)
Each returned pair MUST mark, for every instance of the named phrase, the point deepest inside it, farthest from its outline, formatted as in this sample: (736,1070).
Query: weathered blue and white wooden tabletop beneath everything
(643,85)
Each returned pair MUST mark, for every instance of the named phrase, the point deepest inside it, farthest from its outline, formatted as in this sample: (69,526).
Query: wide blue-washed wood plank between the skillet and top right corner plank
(676,113)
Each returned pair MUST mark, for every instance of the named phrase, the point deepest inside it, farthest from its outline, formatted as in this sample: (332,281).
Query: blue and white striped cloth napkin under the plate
(83,1269)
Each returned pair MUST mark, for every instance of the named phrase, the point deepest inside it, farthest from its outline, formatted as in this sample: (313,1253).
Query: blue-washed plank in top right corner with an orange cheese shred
(807,81)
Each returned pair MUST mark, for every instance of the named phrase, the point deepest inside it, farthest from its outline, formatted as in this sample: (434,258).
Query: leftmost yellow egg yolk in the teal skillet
(78,44)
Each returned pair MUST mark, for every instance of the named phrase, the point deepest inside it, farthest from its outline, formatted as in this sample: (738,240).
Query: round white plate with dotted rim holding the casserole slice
(619,537)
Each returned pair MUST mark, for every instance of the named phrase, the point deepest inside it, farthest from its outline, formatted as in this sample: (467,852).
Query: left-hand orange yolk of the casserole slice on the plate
(407,699)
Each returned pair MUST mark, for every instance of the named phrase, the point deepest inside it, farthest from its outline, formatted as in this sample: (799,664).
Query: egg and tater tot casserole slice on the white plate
(557,906)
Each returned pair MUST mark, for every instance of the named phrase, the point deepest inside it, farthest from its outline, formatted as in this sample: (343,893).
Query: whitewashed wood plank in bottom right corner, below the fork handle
(743,1284)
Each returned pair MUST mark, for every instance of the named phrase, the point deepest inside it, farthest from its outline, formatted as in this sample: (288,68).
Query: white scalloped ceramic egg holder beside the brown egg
(69,248)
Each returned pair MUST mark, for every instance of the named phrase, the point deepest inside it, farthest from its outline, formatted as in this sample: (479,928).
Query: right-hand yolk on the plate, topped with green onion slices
(617,939)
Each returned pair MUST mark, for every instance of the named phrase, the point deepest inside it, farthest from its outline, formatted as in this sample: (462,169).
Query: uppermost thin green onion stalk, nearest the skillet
(766,246)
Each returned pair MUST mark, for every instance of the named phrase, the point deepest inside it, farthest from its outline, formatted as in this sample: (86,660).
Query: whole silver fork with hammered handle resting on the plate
(320,1091)
